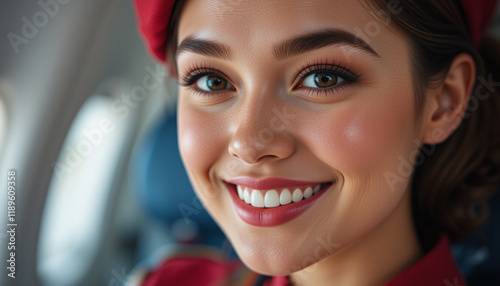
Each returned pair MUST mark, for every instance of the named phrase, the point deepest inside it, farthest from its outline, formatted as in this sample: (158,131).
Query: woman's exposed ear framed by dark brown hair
(446,104)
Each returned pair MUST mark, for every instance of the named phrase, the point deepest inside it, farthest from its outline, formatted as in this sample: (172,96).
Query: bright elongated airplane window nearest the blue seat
(79,194)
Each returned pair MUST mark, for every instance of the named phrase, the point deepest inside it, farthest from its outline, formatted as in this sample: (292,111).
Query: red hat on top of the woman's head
(153,16)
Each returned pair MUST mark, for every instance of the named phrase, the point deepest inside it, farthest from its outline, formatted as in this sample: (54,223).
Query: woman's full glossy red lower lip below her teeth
(267,217)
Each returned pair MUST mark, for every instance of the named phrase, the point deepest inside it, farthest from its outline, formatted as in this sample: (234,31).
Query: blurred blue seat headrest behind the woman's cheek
(162,184)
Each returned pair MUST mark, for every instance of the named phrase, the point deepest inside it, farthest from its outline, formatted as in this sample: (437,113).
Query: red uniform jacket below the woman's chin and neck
(197,268)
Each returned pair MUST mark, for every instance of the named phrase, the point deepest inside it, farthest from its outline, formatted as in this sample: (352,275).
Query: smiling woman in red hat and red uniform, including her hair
(322,135)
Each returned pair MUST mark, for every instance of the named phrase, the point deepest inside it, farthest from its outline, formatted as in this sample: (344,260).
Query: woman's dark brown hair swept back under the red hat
(452,185)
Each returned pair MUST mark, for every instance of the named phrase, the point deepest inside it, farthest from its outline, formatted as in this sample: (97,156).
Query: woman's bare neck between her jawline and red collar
(374,259)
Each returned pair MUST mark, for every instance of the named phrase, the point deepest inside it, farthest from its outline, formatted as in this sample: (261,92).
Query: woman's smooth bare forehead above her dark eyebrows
(258,24)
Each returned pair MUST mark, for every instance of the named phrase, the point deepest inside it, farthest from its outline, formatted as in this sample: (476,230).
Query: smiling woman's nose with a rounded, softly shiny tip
(261,135)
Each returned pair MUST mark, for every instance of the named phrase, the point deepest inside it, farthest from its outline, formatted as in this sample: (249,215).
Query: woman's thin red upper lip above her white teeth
(271,183)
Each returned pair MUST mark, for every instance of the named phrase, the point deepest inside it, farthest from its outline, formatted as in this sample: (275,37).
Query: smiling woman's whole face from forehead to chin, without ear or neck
(284,98)
